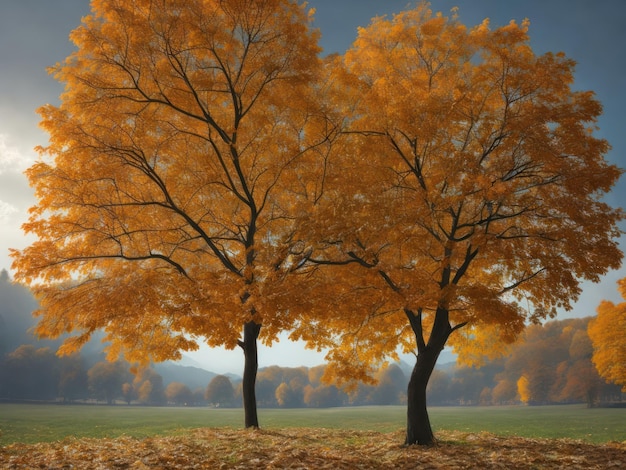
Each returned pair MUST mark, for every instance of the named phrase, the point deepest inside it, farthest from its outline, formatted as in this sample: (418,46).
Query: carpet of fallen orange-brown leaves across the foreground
(305,448)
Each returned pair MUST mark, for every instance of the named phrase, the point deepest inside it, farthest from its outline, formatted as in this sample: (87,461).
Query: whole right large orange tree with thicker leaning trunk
(469,185)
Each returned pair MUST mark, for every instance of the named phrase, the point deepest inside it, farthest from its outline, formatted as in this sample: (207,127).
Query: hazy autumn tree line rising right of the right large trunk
(549,364)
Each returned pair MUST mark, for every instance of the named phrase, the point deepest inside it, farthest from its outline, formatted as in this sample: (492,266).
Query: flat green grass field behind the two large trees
(39,423)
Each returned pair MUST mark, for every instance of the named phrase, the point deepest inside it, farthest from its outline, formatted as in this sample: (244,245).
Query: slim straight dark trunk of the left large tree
(251,364)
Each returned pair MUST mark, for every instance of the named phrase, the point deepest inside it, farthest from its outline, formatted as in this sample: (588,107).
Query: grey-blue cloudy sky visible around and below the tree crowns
(34,35)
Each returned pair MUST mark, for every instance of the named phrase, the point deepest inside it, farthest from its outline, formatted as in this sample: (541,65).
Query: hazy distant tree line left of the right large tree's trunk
(30,373)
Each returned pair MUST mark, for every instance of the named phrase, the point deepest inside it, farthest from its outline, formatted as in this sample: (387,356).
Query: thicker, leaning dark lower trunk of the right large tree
(418,430)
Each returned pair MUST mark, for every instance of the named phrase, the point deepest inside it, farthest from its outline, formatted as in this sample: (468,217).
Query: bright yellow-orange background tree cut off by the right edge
(608,336)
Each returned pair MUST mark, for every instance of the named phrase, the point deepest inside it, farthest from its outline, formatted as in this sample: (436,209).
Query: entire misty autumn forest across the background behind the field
(550,364)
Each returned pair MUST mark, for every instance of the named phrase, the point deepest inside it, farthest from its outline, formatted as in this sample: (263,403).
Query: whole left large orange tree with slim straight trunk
(181,145)
